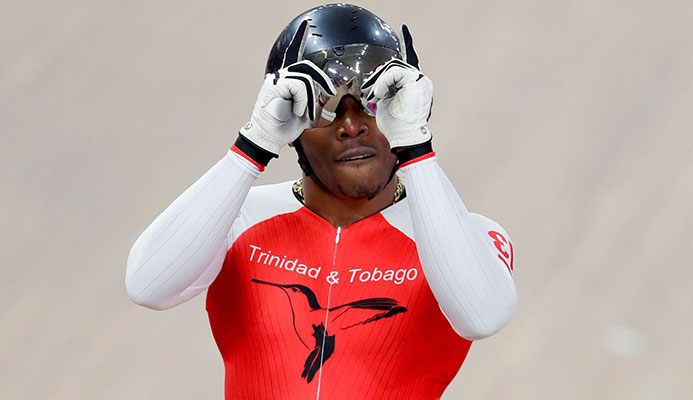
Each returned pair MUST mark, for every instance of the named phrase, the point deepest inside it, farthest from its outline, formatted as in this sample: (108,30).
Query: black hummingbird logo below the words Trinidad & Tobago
(349,315)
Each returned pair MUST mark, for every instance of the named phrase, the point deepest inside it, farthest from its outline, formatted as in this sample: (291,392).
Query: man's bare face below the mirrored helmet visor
(350,156)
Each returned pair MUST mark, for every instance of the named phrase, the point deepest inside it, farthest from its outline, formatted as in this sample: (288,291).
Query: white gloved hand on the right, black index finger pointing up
(404,97)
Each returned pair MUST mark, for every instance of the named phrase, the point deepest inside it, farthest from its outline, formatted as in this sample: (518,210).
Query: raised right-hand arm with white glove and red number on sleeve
(462,260)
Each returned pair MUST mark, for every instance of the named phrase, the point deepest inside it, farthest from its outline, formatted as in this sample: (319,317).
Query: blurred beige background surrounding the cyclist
(569,122)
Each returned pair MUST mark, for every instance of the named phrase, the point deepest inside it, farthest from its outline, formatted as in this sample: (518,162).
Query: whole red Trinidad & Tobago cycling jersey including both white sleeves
(301,309)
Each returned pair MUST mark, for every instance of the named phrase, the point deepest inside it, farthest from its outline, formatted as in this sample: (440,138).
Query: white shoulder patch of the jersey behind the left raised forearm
(262,203)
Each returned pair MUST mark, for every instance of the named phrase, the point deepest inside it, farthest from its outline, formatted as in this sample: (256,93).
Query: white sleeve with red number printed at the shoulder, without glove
(460,259)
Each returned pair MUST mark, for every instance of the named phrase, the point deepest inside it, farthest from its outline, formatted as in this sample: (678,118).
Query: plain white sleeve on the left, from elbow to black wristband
(182,251)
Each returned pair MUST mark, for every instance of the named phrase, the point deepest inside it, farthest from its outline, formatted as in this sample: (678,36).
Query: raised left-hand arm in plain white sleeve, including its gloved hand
(182,251)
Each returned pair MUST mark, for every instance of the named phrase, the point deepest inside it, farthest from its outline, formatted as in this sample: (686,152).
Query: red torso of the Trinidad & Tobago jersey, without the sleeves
(303,310)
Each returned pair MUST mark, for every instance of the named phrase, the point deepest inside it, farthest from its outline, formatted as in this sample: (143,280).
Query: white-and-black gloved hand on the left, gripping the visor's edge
(287,102)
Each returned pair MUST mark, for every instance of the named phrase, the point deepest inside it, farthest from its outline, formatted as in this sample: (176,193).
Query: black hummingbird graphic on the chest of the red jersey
(383,307)
